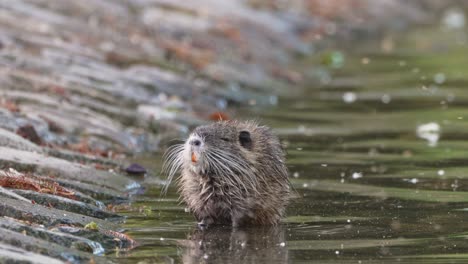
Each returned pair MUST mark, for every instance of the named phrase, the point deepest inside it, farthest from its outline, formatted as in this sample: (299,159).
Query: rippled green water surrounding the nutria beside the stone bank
(368,187)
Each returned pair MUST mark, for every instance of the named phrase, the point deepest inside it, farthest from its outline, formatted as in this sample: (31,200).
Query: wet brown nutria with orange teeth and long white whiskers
(232,173)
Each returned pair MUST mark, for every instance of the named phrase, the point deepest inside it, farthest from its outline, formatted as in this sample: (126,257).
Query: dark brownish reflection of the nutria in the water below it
(239,245)
